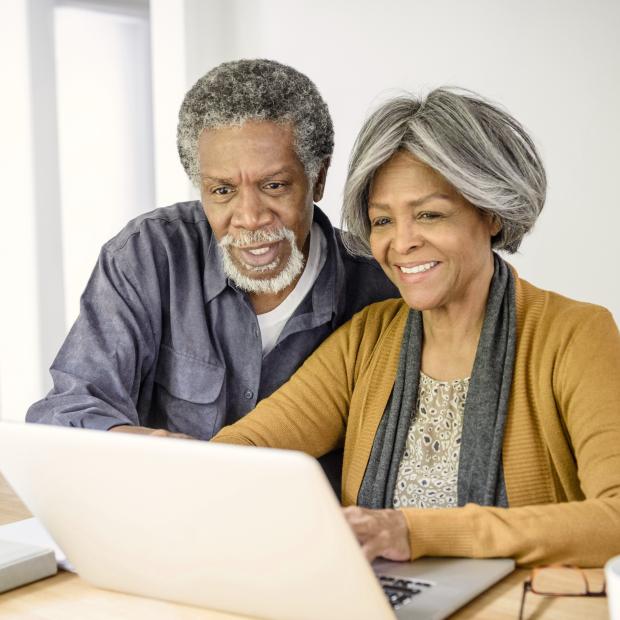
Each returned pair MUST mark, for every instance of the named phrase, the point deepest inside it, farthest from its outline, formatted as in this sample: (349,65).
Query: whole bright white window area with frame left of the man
(77,123)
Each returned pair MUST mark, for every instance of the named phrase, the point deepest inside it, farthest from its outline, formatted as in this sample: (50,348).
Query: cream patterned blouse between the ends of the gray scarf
(428,471)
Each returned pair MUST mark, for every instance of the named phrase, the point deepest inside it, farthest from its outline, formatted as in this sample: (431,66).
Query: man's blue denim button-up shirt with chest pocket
(164,340)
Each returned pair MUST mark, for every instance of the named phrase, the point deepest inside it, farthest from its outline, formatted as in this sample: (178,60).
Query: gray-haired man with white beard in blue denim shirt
(195,312)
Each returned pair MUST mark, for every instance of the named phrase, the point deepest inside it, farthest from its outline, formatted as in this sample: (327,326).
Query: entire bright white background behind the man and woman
(91,91)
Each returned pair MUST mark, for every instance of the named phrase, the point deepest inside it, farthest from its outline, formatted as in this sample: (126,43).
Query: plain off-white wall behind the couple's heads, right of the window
(554,64)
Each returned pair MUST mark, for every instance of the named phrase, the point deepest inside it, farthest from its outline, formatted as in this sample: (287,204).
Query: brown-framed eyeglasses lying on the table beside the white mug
(556,580)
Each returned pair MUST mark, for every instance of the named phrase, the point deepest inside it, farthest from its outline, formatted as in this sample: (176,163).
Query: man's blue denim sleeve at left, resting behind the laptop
(98,372)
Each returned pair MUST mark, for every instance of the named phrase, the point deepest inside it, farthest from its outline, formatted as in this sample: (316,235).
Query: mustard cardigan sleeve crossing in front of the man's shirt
(310,411)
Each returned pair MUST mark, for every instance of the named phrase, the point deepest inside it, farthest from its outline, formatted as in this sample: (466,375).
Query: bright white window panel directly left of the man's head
(105,128)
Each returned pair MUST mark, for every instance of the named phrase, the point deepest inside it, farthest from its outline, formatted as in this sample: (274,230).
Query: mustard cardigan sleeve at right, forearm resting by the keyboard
(586,386)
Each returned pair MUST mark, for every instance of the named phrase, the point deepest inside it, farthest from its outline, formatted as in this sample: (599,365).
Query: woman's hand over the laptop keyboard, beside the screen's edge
(380,532)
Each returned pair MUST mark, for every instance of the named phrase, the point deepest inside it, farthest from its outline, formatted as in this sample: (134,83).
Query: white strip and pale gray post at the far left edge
(31,308)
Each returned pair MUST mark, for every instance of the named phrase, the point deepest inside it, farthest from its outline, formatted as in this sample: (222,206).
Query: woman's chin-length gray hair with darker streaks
(480,149)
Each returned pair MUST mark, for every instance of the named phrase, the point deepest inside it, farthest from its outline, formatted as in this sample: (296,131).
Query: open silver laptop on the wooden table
(252,531)
